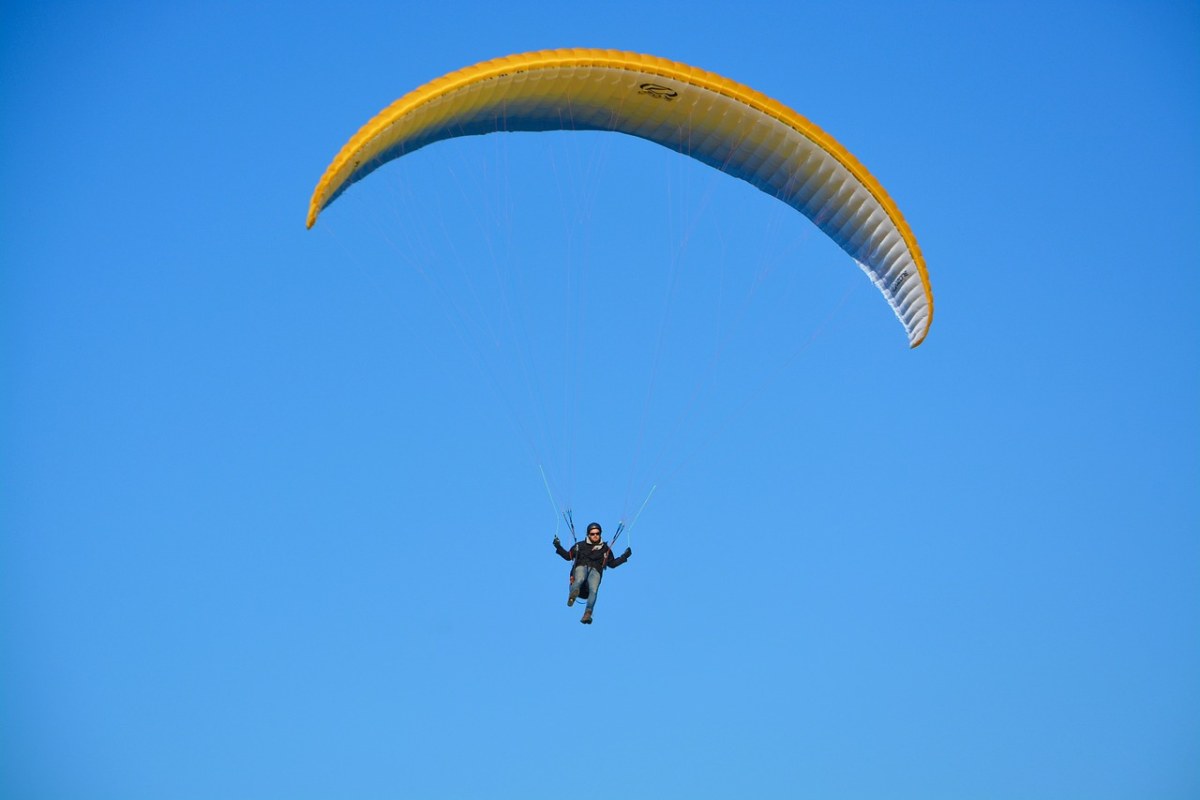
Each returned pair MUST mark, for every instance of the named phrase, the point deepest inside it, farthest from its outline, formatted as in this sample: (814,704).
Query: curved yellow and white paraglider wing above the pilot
(712,119)
